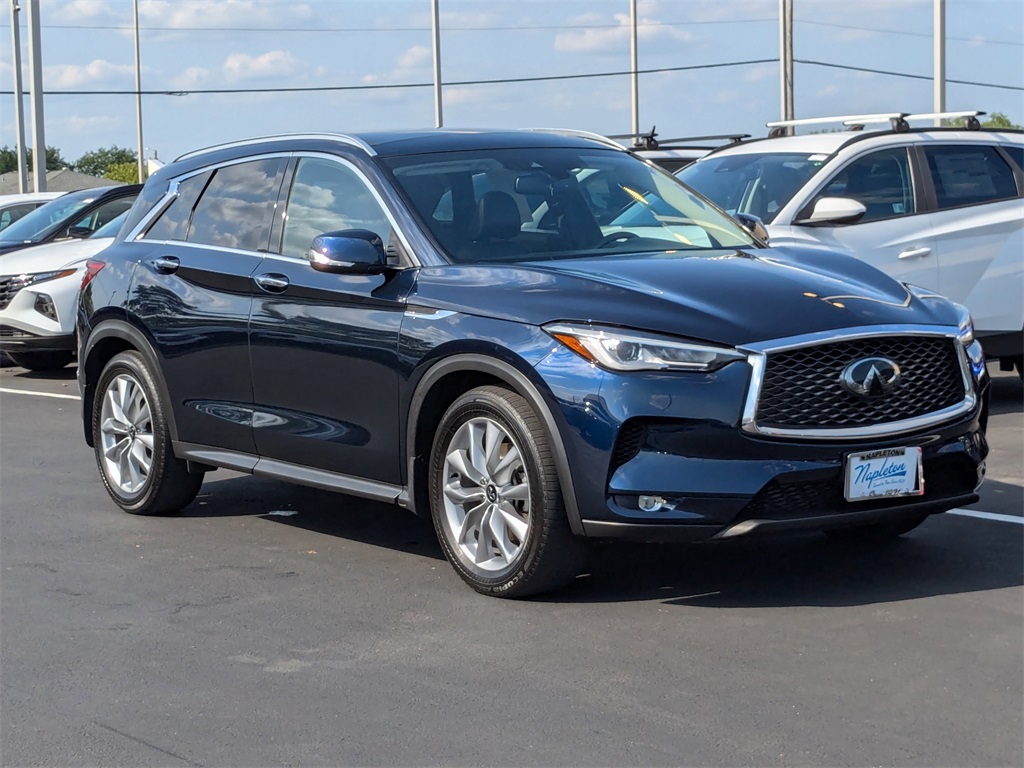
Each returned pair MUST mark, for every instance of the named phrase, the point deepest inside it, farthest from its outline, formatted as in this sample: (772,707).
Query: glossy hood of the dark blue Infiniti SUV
(729,297)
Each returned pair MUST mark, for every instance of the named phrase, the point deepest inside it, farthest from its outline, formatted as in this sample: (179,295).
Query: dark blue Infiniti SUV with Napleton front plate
(533,337)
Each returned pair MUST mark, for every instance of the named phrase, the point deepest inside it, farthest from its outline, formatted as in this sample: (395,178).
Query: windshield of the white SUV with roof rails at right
(760,185)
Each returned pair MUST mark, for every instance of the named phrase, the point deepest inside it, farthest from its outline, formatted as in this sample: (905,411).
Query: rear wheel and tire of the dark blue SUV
(134,444)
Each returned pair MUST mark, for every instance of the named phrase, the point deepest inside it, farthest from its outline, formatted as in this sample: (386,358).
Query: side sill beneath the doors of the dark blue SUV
(280,471)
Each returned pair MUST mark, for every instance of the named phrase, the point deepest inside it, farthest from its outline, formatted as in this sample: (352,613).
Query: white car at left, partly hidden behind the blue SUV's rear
(39,288)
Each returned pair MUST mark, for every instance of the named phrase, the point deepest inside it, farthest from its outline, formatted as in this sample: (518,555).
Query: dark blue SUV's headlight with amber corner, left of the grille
(627,351)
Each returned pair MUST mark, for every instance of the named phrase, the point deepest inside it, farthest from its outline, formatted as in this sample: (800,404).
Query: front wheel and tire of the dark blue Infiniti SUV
(496,499)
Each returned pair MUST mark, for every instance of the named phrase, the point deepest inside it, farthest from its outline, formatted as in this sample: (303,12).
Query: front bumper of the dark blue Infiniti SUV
(680,439)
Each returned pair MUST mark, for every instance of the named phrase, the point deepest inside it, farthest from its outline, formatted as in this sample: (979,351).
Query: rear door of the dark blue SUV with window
(193,291)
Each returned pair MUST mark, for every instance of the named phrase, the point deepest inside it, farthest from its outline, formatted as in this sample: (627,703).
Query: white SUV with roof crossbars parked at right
(942,208)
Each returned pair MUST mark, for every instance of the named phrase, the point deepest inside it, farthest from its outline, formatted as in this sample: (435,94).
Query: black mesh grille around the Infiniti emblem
(802,388)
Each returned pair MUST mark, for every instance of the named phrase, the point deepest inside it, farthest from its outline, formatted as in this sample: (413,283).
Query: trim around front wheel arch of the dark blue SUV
(523,386)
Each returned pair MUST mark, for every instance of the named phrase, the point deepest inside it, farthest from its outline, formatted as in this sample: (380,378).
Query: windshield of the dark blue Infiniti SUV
(524,205)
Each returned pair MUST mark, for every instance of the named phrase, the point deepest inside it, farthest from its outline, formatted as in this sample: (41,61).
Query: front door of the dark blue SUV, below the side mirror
(325,348)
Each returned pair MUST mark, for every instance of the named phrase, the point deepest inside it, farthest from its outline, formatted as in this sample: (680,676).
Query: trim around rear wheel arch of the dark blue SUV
(106,342)
